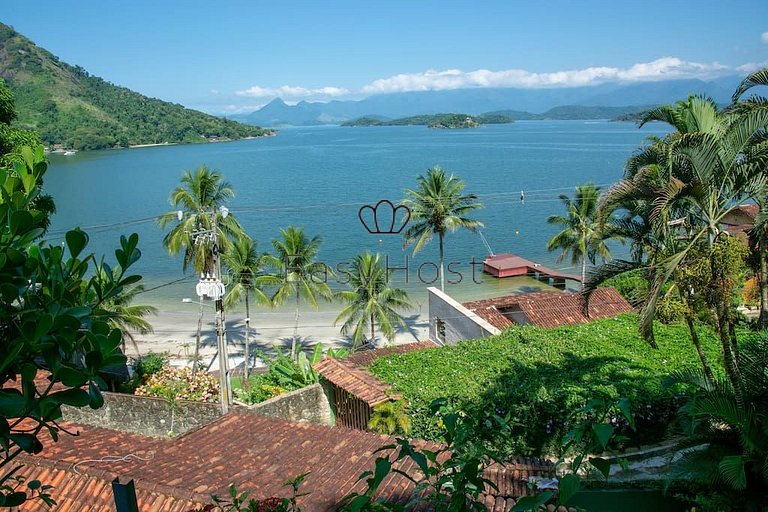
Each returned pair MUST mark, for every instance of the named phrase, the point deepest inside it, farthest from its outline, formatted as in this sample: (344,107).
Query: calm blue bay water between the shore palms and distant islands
(319,177)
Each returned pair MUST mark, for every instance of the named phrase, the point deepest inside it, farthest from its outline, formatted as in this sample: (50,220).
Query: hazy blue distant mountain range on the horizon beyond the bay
(596,102)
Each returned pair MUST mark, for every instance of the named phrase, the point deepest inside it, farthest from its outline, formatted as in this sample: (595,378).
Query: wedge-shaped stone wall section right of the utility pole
(308,404)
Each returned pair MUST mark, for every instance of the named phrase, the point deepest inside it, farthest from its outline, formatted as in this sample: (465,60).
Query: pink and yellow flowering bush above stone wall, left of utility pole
(179,384)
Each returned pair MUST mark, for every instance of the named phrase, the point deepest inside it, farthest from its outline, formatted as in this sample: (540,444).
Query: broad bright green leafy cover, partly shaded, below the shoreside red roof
(538,375)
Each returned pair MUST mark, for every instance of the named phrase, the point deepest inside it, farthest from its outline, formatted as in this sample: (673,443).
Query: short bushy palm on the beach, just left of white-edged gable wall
(371,301)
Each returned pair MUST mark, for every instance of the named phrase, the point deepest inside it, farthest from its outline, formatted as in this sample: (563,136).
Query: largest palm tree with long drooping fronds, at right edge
(692,179)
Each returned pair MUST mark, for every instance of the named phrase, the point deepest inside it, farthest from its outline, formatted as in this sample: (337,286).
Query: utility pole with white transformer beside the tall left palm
(211,287)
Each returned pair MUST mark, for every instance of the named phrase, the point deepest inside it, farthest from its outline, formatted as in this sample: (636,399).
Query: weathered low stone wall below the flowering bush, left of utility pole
(145,415)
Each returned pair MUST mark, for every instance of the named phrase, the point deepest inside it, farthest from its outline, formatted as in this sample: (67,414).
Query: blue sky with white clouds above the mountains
(228,56)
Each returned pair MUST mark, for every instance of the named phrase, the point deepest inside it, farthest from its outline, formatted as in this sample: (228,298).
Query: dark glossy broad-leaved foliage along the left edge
(51,317)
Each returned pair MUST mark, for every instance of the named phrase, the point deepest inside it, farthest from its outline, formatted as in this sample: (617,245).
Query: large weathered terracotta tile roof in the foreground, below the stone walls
(256,453)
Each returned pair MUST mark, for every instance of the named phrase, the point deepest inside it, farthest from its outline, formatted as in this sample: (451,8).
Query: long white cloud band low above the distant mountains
(666,68)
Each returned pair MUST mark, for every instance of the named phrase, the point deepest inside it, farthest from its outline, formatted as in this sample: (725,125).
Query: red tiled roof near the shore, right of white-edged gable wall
(550,309)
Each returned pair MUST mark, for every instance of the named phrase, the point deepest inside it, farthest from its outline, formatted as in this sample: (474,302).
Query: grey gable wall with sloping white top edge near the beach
(450,322)
